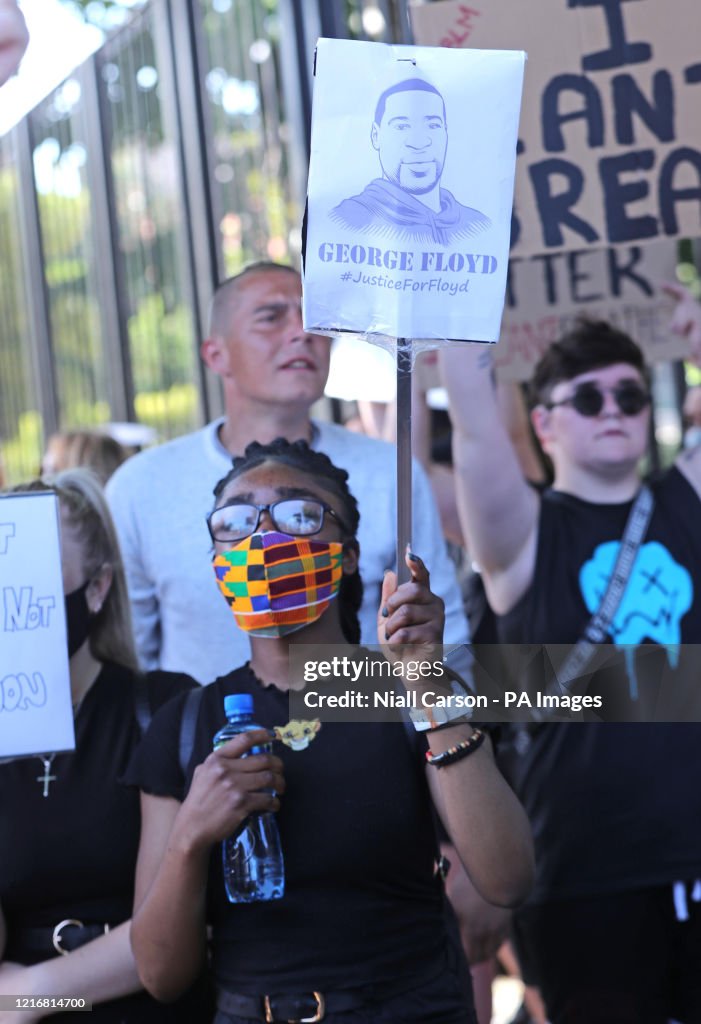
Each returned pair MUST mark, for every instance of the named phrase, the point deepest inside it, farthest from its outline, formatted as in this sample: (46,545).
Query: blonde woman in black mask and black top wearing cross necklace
(69,834)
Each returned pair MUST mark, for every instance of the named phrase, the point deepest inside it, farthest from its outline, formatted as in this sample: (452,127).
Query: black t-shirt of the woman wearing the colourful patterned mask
(362,903)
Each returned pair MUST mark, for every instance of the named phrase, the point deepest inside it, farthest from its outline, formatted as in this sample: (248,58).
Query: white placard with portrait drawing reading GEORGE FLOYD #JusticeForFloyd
(411,190)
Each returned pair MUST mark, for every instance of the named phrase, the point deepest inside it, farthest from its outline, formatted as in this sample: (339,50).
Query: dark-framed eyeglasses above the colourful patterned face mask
(297,517)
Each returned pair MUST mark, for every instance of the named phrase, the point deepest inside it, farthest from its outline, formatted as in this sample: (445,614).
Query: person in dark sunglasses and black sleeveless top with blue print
(612,931)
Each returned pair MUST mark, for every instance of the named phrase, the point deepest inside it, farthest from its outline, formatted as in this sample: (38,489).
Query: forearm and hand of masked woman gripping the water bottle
(169,925)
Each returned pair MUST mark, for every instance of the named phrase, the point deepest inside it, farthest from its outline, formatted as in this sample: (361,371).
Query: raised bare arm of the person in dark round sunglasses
(498,509)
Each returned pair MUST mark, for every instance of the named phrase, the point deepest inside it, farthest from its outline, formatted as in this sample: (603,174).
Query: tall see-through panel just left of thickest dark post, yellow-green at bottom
(152,232)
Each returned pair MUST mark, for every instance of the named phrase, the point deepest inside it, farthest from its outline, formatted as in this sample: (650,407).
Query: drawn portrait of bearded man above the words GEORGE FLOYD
(411,136)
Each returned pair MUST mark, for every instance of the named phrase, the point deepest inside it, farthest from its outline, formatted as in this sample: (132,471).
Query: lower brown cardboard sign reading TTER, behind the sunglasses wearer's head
(546,293)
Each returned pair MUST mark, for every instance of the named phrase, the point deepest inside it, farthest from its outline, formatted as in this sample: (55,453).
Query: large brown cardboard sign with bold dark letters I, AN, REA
(610,148)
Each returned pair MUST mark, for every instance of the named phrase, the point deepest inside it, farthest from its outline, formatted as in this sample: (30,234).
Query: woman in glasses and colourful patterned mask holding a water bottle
(360,934)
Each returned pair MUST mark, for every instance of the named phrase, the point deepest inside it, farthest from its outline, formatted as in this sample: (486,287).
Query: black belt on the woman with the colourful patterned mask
(310,1008)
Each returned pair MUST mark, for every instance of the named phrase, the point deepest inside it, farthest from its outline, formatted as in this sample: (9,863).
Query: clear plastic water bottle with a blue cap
(252,859)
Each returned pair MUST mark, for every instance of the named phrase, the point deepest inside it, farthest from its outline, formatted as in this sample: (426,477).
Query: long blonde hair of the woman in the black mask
(81,496)
